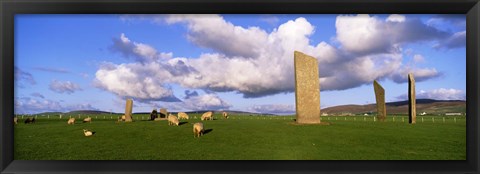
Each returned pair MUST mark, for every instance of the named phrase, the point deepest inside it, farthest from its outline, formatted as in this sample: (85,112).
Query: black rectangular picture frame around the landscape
(8,8)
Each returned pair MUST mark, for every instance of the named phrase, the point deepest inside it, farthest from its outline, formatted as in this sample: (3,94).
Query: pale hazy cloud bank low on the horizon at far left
(30,106)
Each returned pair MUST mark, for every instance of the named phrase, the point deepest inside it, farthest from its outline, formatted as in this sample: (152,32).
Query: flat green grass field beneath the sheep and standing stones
(243,138)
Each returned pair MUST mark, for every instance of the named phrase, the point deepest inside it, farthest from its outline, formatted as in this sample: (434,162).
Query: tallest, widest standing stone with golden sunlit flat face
(307,89)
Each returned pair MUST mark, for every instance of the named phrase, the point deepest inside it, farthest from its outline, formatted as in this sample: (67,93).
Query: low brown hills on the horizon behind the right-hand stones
(429,106)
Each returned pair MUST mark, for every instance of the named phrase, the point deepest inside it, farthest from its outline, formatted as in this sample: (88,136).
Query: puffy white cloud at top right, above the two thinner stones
(365,34)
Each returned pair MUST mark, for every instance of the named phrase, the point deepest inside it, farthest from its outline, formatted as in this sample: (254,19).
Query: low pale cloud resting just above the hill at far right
(438,94)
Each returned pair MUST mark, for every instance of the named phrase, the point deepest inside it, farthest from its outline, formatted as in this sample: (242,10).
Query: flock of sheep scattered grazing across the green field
(198,128)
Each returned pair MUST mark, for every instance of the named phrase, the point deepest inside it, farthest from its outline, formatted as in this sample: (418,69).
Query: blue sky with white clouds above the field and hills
(231,62)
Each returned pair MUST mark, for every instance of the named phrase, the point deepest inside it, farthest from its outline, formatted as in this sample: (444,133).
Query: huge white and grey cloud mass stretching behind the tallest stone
(256,63)
